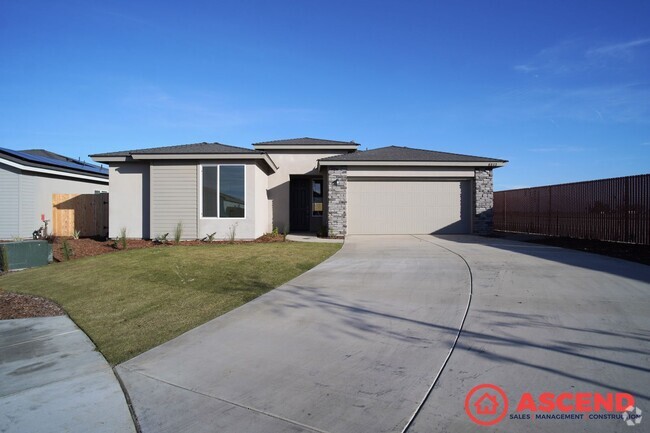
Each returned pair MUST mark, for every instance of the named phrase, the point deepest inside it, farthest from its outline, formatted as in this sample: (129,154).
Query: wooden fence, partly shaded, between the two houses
(87,213)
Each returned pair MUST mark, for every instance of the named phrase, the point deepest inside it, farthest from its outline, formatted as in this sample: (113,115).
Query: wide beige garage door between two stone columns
(408,206)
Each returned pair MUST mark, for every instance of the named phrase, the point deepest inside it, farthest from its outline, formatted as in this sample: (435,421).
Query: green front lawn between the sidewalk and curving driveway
(131,301)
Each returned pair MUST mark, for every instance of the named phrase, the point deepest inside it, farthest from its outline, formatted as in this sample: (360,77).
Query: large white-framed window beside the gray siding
(223,191)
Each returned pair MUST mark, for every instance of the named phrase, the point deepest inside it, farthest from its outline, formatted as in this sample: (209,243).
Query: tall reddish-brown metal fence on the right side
(615,209)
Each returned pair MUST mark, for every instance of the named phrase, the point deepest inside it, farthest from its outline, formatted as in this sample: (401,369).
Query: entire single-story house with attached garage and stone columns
(301,184)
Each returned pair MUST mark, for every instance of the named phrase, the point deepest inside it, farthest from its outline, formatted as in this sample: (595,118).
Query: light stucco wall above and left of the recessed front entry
(290,162)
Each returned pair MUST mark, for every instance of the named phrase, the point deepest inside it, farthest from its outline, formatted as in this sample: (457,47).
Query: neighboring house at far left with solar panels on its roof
(28,178)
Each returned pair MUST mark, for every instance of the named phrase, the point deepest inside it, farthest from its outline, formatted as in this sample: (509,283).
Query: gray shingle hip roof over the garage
(398,153)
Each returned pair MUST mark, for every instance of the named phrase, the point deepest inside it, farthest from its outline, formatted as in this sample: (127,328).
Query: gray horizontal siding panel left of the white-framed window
(174,198)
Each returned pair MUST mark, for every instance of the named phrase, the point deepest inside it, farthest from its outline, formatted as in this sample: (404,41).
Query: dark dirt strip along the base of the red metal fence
(631,252)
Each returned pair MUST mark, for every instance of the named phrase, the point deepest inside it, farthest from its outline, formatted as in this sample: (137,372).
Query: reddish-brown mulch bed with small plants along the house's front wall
(86,247)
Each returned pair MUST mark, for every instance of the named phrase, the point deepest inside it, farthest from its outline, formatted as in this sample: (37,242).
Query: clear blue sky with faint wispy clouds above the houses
(560,89)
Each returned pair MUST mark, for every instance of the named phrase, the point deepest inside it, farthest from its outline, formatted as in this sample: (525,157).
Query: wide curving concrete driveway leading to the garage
(354,344)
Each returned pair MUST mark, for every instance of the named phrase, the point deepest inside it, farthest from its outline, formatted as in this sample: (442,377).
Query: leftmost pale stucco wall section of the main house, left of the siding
(129,200)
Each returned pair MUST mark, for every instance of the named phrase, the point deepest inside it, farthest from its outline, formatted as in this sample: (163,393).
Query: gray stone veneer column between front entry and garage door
(337,201)
